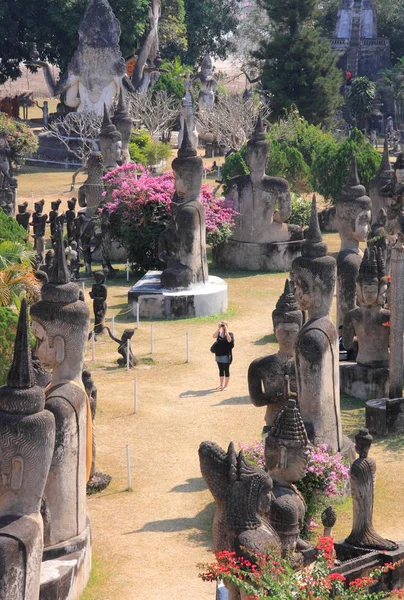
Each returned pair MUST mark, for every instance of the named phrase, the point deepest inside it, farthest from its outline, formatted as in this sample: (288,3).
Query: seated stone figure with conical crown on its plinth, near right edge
(369,324)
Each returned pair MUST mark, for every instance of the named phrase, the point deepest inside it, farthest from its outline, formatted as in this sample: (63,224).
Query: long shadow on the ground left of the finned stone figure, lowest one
(199,527)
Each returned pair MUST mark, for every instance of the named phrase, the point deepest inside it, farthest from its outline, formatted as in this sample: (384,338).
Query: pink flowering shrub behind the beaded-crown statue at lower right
(325,477)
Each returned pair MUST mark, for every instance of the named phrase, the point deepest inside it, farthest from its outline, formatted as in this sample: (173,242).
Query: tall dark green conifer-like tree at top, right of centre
(298,65)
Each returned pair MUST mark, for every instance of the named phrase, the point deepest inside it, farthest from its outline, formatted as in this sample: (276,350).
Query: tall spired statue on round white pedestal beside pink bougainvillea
(187,240)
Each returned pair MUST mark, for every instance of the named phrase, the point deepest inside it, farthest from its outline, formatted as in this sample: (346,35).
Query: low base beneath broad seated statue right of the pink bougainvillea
(256,257)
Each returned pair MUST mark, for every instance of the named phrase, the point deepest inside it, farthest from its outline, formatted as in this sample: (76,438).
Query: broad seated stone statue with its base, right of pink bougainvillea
(263,204)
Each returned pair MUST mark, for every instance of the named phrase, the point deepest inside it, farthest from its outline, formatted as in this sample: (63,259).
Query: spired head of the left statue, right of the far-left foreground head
(60,321)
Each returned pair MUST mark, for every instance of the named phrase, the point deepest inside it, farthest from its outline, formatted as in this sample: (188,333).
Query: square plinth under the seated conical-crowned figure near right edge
(363,382)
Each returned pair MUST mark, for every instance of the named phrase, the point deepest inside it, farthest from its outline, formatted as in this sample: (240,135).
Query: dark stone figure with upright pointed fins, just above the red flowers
(243,496)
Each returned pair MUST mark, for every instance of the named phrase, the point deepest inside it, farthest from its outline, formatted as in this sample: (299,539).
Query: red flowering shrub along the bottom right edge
(271,576)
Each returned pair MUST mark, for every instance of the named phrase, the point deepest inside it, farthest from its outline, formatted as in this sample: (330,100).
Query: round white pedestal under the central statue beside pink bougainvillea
(156,302)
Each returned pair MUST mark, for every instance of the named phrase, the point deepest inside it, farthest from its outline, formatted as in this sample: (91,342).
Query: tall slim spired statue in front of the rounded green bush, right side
(353,217)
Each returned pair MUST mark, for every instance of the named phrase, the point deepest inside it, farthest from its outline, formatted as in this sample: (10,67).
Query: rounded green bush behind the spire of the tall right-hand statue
(331,166)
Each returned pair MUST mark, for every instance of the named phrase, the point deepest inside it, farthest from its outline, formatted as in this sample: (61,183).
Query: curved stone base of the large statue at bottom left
(66,568)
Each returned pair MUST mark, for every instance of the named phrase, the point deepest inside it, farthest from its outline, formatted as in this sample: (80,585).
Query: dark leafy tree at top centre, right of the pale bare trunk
(209,24)
